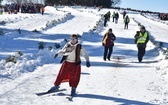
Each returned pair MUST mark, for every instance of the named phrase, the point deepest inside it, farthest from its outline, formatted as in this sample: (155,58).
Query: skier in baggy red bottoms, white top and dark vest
(71,68)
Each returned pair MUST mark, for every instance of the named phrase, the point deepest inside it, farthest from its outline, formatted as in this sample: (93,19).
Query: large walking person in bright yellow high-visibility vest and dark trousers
(141,39)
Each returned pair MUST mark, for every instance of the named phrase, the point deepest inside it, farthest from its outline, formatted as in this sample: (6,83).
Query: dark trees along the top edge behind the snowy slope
(103,3)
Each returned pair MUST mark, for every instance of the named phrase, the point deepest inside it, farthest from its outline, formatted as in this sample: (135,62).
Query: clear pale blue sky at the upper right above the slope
(151,5)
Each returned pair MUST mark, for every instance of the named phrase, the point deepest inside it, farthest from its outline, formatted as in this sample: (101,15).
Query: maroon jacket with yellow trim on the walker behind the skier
(108,40)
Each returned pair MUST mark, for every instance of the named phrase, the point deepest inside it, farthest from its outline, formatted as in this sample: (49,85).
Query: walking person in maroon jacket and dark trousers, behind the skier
(108,43)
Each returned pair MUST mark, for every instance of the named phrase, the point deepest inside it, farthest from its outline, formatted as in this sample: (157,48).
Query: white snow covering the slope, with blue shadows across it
(121,81)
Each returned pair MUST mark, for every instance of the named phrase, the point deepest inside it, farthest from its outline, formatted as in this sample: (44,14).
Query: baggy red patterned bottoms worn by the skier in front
(69,72)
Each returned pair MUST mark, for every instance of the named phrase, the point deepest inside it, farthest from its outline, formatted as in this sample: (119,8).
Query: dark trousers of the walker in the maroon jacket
(107,52)
